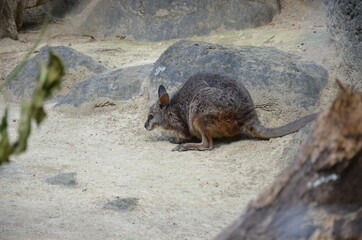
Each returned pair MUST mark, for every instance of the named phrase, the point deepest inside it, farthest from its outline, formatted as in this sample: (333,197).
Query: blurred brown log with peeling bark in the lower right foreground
(320,195)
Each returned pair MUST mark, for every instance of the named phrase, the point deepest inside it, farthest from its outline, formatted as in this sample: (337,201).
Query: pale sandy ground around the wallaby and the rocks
(189,195)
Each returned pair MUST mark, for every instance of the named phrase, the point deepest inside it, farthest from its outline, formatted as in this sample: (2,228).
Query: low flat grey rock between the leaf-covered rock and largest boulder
(120,84)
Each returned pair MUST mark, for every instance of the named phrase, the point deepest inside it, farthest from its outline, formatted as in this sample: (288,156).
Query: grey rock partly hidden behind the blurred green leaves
(78,67)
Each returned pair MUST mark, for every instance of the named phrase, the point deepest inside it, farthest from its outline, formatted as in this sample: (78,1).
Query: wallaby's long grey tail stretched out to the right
(257,130)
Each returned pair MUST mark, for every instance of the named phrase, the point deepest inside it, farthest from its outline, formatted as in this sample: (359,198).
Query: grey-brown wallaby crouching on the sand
(211,106)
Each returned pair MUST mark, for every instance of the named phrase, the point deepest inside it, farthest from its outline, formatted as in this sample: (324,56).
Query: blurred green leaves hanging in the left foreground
(48,80)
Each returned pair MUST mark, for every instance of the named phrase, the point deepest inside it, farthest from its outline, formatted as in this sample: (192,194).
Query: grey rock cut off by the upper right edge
(344,23)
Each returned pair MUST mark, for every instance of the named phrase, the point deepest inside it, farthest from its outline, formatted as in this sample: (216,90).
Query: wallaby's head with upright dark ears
(155,115)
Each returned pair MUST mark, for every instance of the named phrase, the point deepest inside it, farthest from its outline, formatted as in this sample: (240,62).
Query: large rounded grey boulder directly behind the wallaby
(276,80)
